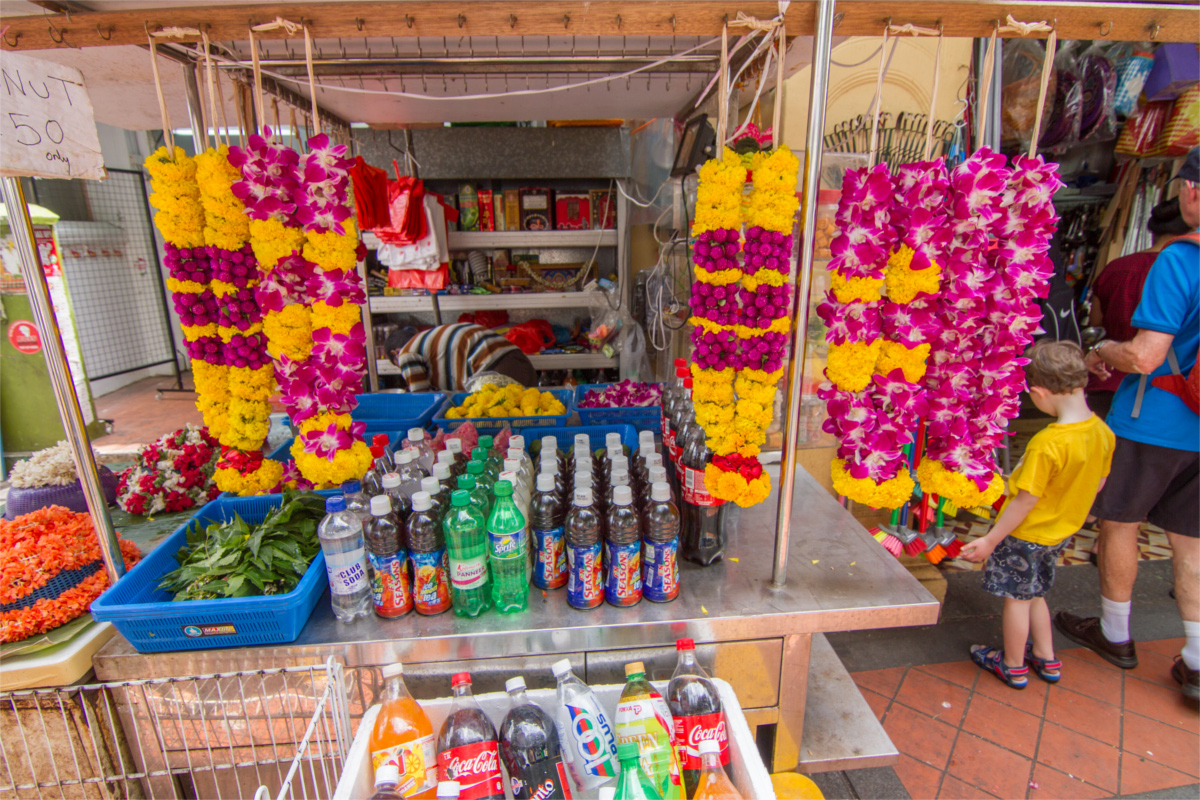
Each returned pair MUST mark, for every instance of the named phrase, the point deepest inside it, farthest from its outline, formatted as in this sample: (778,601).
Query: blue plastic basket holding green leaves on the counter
(153,623)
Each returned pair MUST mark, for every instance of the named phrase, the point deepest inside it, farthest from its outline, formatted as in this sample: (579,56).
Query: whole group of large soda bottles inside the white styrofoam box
(655,748)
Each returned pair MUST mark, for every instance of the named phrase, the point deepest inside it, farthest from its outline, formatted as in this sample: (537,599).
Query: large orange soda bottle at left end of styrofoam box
(404,738)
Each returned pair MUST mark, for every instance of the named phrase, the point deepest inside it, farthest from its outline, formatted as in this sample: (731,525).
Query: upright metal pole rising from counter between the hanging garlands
(818,95)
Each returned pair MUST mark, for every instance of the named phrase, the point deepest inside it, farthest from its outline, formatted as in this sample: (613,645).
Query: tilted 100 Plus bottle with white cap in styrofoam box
(589,739)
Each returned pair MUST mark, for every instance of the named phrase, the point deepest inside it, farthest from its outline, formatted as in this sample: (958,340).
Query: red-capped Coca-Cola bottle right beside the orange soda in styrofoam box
(467,747)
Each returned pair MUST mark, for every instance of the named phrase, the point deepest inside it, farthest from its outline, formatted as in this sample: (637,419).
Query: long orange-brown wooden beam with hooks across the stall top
(1117,21)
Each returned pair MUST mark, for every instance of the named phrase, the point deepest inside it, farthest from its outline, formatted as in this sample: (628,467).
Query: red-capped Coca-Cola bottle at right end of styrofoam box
(697,709)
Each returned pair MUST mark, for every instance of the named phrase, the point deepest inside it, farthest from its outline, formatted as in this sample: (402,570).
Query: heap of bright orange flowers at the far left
(34,549)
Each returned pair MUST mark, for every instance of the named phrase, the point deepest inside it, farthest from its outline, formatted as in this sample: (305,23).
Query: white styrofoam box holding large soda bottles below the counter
(751,775)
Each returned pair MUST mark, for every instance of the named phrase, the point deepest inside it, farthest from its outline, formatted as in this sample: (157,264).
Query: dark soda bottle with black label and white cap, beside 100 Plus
(531,750)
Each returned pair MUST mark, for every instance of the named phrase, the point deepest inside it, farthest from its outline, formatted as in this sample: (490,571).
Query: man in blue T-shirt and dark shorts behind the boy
(1156,467)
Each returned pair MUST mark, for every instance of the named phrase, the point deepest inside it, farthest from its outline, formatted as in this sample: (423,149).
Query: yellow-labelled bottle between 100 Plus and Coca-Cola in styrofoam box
(644,720)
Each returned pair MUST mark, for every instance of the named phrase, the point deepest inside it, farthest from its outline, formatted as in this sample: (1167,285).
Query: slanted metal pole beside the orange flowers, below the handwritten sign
(61,377)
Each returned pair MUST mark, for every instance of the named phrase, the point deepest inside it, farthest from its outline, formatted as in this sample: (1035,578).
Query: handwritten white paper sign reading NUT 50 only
(47,127)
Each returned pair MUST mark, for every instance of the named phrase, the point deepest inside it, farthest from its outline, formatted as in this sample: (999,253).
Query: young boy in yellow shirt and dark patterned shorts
(1049,497)
